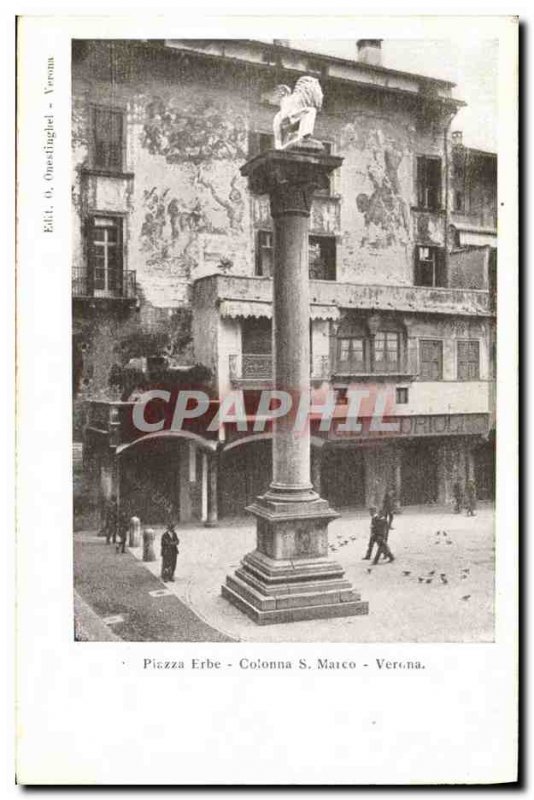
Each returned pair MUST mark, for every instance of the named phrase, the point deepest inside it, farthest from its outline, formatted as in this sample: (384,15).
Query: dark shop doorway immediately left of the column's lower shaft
(244,473)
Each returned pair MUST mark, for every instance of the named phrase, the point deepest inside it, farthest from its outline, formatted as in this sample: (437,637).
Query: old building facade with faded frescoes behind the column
(173,257)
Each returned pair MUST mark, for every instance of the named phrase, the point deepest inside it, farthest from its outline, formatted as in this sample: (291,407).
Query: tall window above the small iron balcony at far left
(105,254)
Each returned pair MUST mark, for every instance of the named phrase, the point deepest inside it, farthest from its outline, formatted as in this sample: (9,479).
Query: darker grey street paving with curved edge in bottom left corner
(116,591)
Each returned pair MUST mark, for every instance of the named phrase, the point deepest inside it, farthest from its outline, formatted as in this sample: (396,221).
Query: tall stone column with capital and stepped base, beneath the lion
(289,575)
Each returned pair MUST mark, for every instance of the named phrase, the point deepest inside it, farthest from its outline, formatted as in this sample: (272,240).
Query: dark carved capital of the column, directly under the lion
(290,176)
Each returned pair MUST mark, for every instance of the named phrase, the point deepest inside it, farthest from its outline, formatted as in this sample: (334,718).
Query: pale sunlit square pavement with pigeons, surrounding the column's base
(439,589)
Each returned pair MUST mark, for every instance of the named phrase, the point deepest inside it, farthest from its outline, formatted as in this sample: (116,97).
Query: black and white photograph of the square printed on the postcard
(284,309)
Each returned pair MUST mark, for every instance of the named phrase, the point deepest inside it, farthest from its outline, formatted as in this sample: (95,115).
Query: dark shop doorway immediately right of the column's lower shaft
(343,477)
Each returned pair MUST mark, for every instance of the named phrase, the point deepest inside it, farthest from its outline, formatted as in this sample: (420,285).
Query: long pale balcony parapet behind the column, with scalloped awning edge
(243,296)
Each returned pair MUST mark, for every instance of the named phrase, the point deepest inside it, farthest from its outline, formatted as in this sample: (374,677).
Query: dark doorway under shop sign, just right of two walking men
(419,475)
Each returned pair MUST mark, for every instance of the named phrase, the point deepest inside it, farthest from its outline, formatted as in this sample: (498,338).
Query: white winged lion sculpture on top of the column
(296,119)
